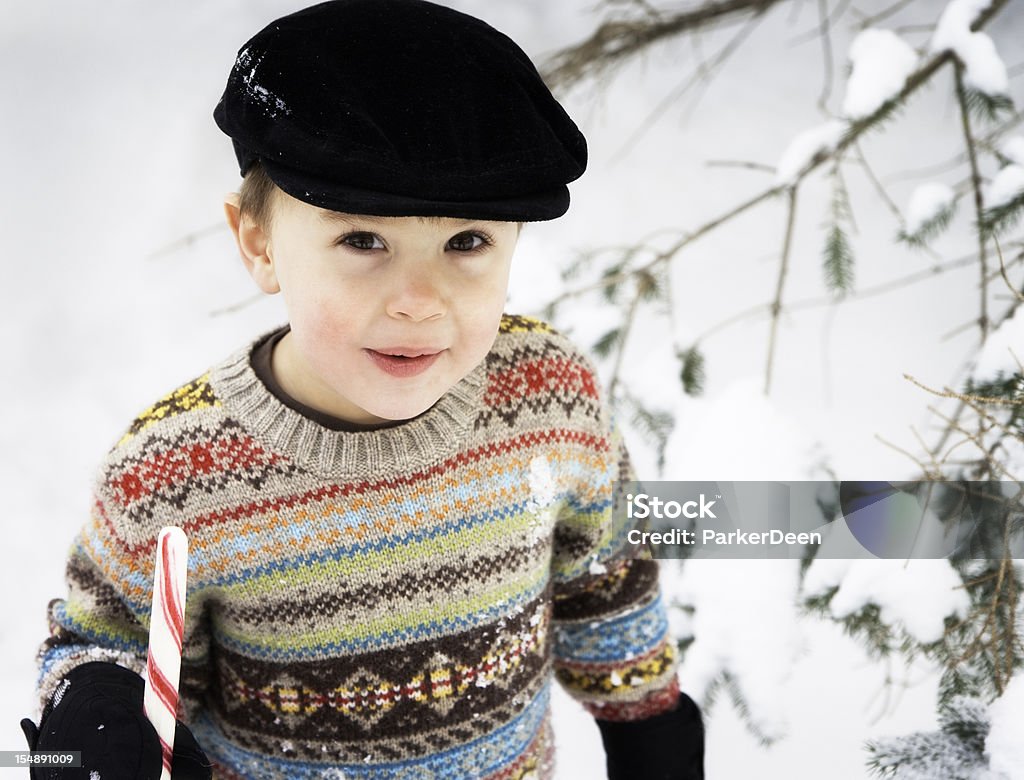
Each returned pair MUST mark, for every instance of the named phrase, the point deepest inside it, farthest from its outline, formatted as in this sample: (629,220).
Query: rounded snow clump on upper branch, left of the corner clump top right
(882,62)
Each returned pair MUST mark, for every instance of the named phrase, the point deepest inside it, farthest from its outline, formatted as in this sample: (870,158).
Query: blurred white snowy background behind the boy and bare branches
(112,158)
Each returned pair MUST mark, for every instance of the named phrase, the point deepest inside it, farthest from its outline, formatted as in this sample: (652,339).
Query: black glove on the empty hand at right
(668,747)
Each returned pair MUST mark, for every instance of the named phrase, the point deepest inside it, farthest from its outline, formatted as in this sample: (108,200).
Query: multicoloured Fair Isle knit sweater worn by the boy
(379,604)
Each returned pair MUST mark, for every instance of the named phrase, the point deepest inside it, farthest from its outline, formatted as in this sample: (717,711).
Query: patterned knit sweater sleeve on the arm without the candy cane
(612,644)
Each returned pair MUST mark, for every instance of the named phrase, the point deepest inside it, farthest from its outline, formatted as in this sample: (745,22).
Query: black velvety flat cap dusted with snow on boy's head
(401,108)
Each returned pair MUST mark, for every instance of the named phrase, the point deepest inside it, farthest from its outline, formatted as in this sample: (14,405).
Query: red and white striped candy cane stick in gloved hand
(166,632)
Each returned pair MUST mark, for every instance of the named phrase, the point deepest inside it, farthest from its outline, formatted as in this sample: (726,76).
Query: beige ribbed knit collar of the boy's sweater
(435,436)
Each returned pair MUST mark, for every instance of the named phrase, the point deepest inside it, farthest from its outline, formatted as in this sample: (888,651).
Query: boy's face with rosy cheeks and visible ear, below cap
(388,314)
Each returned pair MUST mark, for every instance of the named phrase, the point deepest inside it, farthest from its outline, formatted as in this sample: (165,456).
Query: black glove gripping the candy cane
(99,710)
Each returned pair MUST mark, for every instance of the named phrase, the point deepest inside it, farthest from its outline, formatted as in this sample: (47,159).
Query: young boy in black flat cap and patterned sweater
(399,505)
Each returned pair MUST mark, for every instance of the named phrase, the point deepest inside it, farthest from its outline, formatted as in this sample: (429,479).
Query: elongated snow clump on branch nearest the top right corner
(985,70)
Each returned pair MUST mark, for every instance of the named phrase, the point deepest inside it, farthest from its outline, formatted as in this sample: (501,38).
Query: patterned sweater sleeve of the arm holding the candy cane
(105,616)
